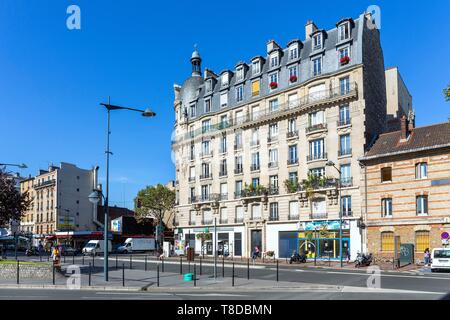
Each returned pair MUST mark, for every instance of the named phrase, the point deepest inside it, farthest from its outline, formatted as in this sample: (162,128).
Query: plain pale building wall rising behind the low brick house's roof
(399,100)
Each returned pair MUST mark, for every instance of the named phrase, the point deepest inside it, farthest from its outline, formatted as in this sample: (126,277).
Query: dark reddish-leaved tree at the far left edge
(12,204)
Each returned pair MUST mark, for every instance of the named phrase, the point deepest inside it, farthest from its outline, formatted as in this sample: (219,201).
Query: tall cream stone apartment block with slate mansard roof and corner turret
(246,139)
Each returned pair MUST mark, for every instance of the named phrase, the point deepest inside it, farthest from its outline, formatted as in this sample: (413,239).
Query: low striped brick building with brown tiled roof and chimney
(408,188)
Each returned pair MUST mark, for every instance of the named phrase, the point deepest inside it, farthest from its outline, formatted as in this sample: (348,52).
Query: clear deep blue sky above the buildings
(52,79)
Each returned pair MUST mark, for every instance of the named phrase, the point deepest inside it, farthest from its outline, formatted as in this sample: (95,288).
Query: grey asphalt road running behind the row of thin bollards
(427,282)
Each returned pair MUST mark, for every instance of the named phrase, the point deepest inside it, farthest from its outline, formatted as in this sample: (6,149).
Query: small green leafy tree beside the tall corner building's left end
(157,201)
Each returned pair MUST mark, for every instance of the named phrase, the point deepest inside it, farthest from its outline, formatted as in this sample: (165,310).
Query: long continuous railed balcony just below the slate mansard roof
(326,97)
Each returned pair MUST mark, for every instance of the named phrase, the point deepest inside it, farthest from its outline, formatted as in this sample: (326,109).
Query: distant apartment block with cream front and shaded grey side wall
(60,200)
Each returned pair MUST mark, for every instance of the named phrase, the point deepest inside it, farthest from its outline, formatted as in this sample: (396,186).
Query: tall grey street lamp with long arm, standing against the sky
(145,113)
